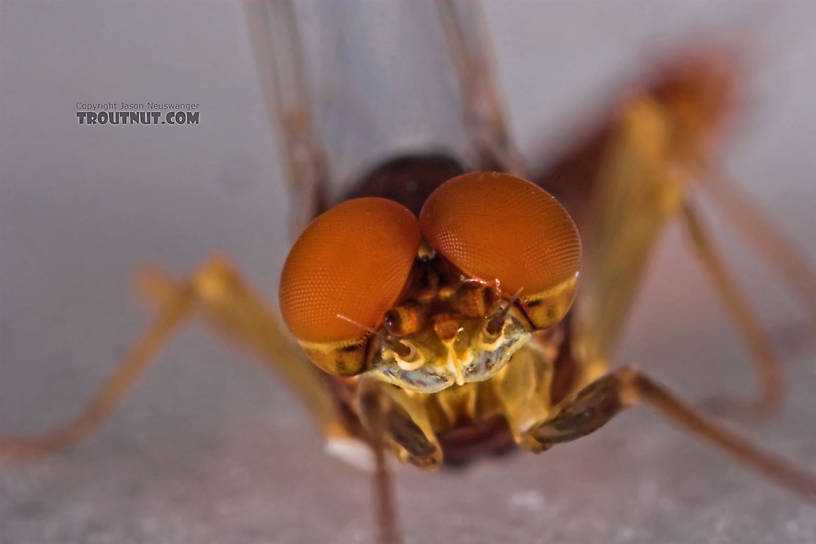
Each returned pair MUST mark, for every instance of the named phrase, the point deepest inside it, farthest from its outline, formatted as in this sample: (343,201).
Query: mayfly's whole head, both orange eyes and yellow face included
(361,292)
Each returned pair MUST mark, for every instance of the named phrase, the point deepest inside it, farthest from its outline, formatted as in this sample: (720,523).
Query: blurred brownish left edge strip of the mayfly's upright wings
(279,57)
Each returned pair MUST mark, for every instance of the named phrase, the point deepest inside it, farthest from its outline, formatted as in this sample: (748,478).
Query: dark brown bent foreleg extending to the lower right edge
(602,400)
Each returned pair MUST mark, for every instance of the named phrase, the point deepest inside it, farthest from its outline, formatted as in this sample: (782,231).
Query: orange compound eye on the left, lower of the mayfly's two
(353,260)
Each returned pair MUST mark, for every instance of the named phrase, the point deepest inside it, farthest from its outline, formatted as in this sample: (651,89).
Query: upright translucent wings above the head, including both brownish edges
(350,88)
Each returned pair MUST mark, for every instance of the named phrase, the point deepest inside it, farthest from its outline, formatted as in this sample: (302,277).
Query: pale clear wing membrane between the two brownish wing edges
(383,82)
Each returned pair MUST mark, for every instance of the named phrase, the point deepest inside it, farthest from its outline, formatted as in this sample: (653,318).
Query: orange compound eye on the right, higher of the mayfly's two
(497,227)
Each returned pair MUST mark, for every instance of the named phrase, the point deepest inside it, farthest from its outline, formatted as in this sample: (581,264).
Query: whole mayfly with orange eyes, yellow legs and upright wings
(436,295)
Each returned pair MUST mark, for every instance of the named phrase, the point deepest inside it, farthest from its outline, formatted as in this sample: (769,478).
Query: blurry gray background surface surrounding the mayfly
(208,448)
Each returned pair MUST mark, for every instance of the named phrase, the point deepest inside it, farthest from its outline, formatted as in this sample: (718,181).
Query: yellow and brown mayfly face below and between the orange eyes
(461,331)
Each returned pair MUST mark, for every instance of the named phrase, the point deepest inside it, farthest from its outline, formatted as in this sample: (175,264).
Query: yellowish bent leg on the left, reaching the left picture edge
(227,302)
